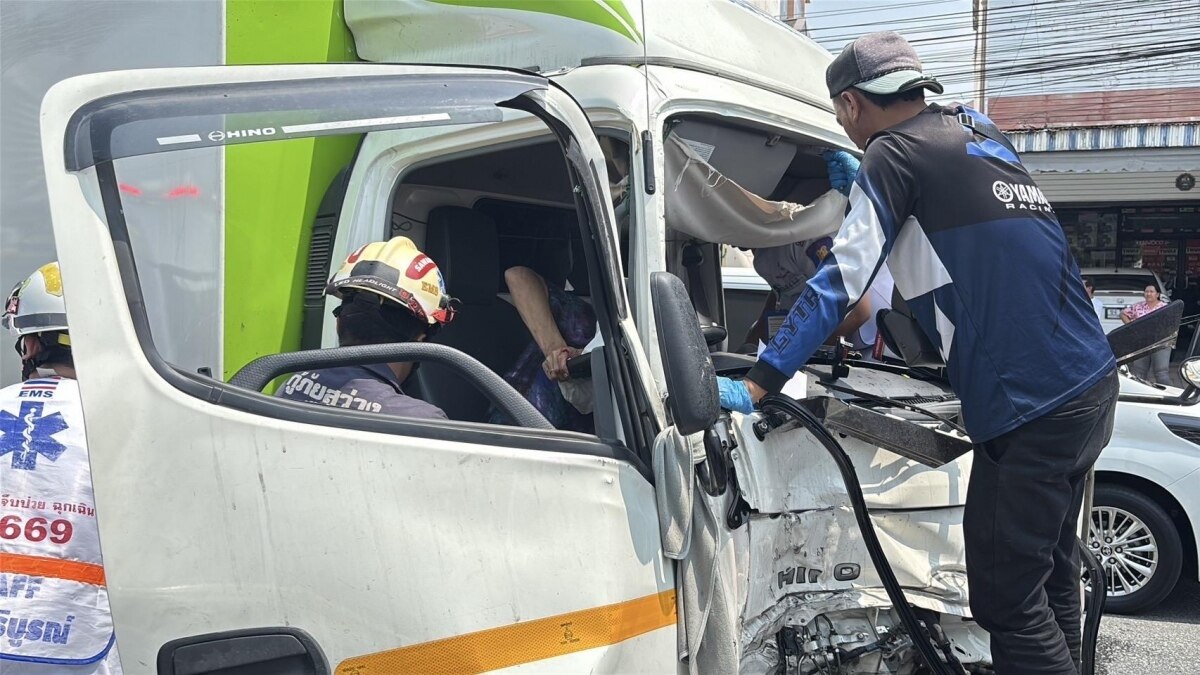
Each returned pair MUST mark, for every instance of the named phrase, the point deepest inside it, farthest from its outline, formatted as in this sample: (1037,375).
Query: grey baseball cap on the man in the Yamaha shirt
(879,63)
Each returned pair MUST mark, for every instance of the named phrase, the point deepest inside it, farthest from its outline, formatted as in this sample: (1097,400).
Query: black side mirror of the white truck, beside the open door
(692,380)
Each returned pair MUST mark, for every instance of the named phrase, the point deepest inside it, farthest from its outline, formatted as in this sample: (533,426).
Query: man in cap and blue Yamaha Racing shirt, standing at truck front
(981,260)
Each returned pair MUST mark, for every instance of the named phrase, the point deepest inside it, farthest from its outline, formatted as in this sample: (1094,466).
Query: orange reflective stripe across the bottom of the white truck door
(524,643)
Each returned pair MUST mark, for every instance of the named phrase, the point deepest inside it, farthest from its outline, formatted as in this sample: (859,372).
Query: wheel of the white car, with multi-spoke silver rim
(1139,547)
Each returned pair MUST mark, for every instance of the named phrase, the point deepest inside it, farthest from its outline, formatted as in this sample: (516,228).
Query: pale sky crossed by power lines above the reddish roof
(1079,45)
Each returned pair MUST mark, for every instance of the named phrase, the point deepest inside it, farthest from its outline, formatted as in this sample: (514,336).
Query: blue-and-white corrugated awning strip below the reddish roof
(1107,139)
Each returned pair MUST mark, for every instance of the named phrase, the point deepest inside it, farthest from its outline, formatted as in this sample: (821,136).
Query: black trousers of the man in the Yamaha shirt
(1021,528)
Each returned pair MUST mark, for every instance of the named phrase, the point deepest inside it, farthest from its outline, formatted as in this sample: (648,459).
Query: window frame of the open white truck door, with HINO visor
(134,123)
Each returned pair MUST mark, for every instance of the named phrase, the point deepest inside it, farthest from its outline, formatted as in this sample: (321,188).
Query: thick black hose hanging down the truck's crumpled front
(921,640)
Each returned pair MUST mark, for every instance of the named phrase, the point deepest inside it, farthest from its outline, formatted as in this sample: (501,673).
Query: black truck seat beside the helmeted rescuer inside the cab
(465,246)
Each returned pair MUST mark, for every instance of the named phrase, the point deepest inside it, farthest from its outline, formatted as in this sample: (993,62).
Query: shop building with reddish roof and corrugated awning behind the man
(1121,171)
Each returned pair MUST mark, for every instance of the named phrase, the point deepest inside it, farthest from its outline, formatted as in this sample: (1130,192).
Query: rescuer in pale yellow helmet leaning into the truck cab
(391,292)
